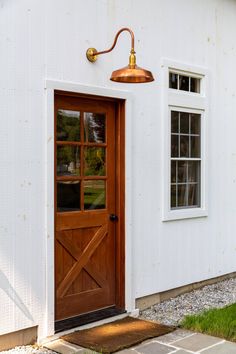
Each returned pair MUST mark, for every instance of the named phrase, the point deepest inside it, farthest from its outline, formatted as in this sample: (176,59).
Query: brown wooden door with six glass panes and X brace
(87,250)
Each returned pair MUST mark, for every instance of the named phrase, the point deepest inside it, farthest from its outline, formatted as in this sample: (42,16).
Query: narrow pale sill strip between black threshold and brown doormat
(85,326)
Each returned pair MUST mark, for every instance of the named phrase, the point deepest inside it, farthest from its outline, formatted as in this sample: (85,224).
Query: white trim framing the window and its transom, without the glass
(186,102)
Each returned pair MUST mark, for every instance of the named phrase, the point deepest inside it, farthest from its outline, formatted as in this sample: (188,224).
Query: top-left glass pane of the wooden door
(68,125)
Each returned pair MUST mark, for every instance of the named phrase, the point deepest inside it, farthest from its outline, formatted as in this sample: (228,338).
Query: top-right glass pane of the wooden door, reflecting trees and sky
(94,127)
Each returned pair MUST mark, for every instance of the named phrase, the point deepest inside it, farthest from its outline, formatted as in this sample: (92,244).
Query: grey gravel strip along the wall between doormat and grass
(172,311)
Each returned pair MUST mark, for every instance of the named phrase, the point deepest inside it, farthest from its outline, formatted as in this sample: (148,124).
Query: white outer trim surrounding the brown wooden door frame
(50,87)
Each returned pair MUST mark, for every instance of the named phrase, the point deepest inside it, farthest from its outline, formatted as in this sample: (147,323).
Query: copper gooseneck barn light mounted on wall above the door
(130,73)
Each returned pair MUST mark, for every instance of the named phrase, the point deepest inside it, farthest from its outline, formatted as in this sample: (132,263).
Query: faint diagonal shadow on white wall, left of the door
(6,286)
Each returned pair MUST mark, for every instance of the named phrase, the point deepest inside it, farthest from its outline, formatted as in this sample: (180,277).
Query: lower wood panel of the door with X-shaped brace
(85,278)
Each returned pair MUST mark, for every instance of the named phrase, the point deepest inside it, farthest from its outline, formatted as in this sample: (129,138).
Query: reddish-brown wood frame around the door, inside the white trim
(119,106)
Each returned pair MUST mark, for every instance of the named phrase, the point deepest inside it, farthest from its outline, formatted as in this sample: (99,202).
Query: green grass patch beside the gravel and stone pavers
(216,322)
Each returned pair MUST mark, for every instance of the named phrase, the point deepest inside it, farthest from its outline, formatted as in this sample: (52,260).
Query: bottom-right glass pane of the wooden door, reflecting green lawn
(94,194)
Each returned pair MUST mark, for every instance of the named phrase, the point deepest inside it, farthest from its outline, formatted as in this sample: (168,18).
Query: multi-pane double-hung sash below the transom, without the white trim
(185,167)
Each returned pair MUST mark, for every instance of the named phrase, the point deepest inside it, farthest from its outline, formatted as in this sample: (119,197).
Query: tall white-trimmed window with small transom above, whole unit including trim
(184,114)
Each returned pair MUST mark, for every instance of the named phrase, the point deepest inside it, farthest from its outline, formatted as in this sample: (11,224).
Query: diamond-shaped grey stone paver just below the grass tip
(196,342)
